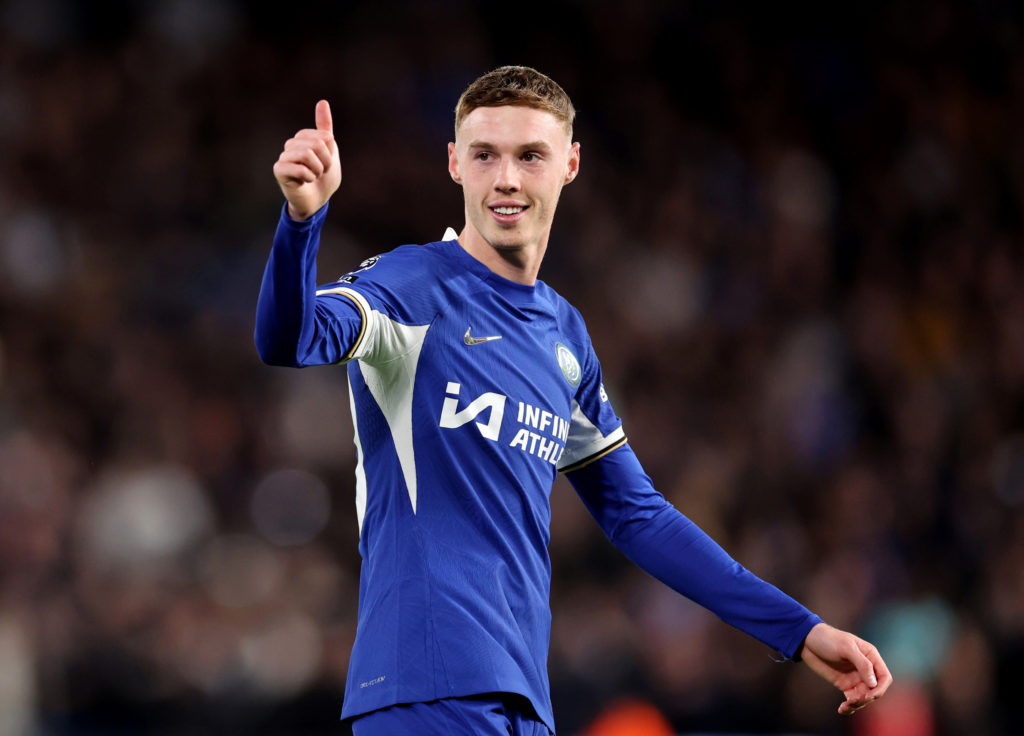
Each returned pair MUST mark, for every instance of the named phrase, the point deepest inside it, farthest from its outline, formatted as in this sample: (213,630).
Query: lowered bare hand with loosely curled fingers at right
(849,663)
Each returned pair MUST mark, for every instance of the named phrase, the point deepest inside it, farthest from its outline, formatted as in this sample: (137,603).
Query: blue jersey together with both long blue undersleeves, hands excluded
(468,394)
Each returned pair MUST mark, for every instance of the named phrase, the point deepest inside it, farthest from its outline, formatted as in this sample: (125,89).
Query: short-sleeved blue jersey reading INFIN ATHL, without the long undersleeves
(470,393)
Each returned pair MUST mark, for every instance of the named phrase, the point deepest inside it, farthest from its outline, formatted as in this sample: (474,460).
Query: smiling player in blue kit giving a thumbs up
(473,384)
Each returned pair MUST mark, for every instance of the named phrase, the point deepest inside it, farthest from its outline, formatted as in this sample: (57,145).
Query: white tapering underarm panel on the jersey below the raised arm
(390,356)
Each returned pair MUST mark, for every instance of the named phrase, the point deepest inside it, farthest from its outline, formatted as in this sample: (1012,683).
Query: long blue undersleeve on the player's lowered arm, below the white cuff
(652,533)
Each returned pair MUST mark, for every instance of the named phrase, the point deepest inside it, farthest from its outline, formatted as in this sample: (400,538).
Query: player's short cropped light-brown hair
(517,86)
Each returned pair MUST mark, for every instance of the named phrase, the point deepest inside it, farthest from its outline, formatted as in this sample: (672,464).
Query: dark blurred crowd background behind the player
(797,240)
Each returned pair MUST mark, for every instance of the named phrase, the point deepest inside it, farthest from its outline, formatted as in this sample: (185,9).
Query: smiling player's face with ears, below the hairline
(513,163)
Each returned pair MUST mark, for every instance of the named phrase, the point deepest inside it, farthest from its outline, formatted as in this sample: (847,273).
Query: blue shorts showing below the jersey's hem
(490,715)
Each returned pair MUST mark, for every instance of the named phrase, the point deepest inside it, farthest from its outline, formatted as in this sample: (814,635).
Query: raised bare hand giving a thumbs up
(309,170)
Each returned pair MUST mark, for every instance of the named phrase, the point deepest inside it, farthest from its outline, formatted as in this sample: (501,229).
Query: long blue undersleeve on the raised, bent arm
(294,326)
